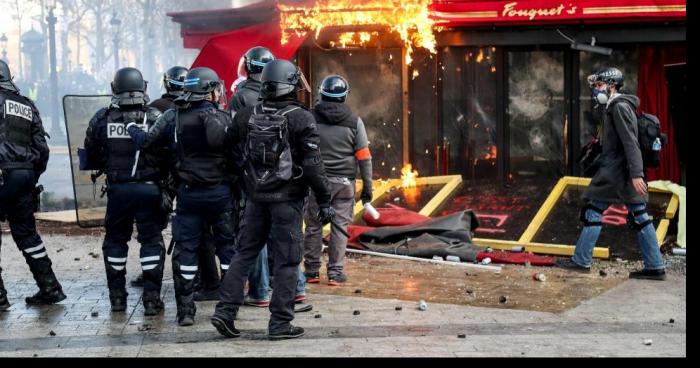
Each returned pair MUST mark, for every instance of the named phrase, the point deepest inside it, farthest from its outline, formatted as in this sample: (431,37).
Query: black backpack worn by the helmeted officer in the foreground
(269,164)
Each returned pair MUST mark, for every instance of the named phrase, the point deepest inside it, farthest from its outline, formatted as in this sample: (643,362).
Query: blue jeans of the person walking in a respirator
(583,255)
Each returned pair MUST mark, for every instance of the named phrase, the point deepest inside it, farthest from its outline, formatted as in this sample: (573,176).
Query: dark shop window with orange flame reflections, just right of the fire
(469,111)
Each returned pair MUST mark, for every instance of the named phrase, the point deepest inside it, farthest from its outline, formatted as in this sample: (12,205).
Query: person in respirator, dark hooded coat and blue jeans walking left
(620,179)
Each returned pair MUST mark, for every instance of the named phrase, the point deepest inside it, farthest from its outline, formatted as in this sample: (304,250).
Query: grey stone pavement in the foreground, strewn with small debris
(615,323)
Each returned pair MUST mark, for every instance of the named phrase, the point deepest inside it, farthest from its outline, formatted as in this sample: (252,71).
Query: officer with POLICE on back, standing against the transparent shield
(133,195)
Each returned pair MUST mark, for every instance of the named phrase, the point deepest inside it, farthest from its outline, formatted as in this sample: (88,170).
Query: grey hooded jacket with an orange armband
(344,141)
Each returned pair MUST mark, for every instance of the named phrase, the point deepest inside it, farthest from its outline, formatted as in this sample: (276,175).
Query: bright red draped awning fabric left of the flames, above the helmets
(223,52)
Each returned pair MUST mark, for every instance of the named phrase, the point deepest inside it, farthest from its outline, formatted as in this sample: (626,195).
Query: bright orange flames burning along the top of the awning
(409,18)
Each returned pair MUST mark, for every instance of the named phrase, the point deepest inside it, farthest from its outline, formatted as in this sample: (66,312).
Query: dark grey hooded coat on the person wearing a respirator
(621,159)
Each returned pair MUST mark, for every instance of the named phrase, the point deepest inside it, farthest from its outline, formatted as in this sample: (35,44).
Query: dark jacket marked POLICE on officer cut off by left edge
(22,136)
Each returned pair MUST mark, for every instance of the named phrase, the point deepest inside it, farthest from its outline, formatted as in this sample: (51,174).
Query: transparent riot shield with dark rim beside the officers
(90,205)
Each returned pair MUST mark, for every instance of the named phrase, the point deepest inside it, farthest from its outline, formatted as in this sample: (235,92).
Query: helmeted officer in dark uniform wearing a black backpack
(282,159)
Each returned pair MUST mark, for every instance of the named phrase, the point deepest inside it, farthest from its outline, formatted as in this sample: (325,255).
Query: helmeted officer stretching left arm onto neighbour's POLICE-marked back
(196,131)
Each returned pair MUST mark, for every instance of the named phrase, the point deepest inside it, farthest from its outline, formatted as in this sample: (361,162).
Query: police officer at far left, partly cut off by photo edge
(23,158)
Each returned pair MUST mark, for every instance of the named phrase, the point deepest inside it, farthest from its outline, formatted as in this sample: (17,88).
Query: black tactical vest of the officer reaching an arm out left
(198,163)
